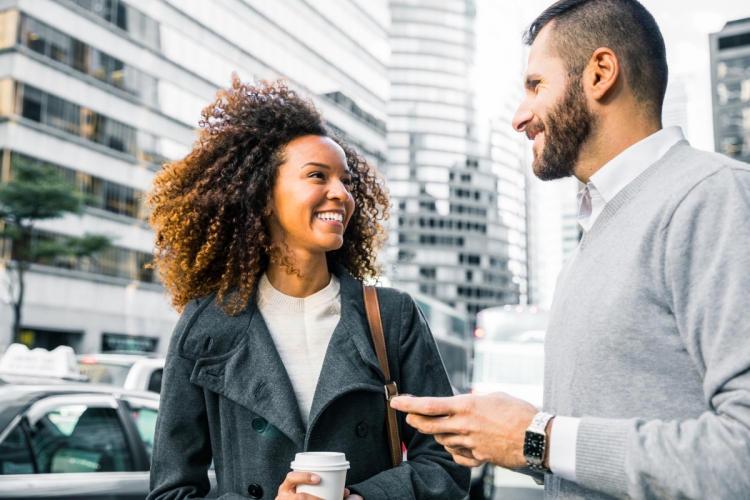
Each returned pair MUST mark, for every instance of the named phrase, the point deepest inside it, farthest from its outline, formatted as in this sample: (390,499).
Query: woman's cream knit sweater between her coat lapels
(301,330)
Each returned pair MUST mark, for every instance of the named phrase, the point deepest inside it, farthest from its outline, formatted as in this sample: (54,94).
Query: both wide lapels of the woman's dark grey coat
(253,375)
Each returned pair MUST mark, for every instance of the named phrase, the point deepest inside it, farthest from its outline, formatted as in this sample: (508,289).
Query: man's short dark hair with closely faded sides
(624,26)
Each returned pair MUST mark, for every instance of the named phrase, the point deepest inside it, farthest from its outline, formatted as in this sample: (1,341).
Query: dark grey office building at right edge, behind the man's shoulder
(730,79)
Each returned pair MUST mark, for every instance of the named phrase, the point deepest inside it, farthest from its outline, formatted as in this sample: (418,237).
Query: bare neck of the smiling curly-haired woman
(312,276)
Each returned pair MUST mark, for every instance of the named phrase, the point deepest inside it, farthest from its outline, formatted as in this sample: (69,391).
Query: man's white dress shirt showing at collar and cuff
(602,187)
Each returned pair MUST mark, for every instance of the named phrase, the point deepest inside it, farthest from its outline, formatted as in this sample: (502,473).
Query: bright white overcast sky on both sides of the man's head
(685,25)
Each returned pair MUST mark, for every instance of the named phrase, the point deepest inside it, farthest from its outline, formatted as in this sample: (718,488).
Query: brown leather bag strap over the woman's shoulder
(372,308)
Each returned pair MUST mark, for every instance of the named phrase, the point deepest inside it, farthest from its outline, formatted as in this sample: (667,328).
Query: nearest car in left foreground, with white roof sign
(63,438)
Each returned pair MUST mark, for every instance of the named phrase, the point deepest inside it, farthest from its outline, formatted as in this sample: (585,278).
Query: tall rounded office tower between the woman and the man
(449,242)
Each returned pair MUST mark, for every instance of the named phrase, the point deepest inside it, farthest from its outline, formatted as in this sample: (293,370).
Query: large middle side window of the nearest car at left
(80,438)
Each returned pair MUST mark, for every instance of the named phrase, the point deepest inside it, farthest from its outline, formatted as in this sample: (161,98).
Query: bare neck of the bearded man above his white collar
(609,140)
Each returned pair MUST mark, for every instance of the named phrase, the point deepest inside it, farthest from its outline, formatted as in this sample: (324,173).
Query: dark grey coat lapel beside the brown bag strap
(350,362)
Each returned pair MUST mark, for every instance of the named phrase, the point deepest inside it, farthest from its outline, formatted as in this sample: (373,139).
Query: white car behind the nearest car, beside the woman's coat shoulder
(129,371)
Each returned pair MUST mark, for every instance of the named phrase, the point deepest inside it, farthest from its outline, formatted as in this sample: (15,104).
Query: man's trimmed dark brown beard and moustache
(568,124)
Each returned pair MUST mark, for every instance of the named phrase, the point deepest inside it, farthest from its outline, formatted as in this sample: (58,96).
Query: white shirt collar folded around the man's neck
(625,167)
